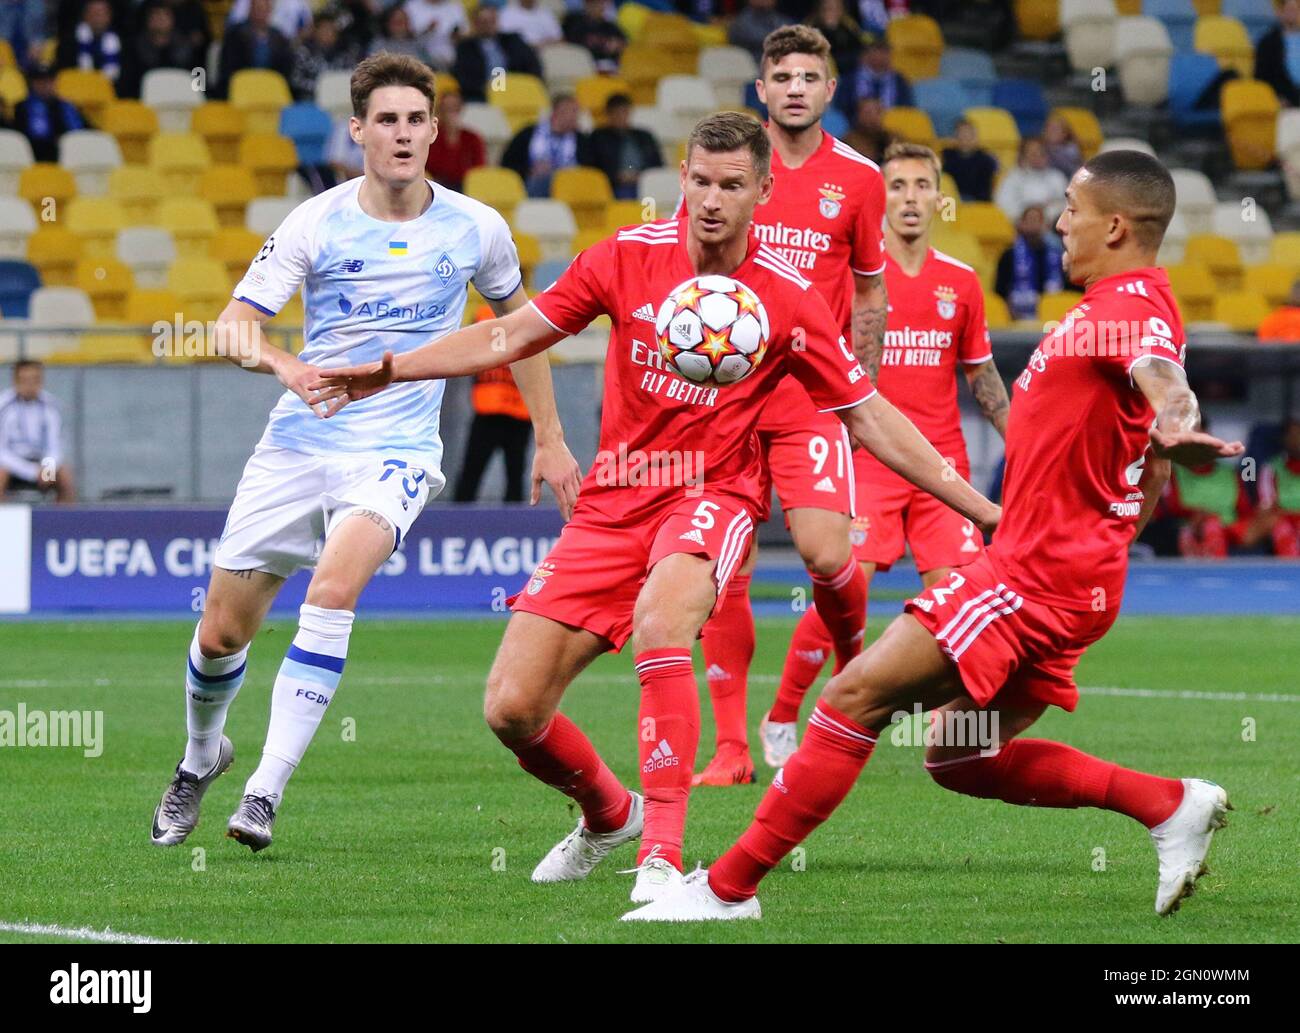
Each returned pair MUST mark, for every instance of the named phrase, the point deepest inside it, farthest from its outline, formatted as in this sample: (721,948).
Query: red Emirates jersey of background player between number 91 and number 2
(937,322)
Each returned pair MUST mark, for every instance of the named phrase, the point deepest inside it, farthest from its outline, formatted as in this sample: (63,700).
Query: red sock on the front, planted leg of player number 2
(812,785)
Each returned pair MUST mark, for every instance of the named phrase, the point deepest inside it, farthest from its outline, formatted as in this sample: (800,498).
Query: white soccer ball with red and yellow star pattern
(713,331)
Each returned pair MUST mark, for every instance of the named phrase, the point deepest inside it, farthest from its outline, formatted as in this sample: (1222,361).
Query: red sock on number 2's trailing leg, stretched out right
(1042,774)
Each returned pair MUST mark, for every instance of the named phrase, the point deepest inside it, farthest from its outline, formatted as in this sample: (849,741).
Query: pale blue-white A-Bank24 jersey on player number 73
(369,288)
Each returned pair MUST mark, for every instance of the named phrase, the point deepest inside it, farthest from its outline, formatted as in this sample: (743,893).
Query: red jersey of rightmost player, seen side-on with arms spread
(1076,444)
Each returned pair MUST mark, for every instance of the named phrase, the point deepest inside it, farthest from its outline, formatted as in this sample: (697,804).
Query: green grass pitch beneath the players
(424,828)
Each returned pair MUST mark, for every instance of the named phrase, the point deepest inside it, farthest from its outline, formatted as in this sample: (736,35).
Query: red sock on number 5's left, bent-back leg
(564,758)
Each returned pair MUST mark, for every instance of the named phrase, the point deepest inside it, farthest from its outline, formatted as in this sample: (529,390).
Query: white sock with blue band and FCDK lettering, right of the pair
(305,687)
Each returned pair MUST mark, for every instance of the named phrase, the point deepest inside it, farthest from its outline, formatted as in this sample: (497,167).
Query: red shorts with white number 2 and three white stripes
(1004,645)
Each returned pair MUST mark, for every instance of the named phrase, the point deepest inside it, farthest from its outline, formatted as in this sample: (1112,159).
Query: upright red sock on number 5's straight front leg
(670,735)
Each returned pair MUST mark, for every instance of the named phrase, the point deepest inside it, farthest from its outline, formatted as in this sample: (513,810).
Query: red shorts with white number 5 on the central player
(593,575)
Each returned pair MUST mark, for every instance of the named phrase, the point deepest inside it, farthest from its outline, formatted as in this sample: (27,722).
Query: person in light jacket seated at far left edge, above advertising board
(31,437)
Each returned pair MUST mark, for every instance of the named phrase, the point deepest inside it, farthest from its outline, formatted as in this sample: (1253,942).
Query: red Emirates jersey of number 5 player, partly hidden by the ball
(649,410)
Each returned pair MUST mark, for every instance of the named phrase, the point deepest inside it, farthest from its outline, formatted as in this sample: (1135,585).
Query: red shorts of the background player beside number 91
(894,513)
